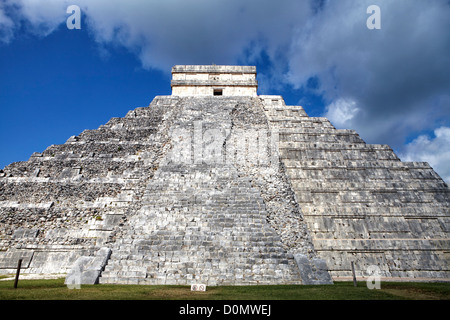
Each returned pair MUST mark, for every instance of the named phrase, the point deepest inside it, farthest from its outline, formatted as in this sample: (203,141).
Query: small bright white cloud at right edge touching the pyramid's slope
(435,151)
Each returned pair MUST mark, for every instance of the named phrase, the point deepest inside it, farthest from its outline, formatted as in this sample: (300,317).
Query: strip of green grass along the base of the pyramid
(56,290)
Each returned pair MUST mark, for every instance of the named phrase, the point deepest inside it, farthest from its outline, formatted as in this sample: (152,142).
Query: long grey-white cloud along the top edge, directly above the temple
(164,33)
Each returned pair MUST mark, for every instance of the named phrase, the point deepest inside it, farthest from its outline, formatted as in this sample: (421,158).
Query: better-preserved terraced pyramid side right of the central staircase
(361,203)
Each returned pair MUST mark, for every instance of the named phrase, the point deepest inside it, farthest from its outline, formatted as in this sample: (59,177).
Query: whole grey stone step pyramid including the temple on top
(217,185)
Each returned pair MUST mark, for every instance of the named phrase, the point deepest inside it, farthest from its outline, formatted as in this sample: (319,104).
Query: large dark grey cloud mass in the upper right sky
(394,74)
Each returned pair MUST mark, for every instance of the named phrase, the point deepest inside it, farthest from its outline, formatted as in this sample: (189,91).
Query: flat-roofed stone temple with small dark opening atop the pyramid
(212,80)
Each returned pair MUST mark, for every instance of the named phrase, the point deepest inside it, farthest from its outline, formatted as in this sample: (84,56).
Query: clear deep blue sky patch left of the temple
(57,86)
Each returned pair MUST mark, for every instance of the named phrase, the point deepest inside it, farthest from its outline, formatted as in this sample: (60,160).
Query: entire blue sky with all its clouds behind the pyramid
(391,85)
